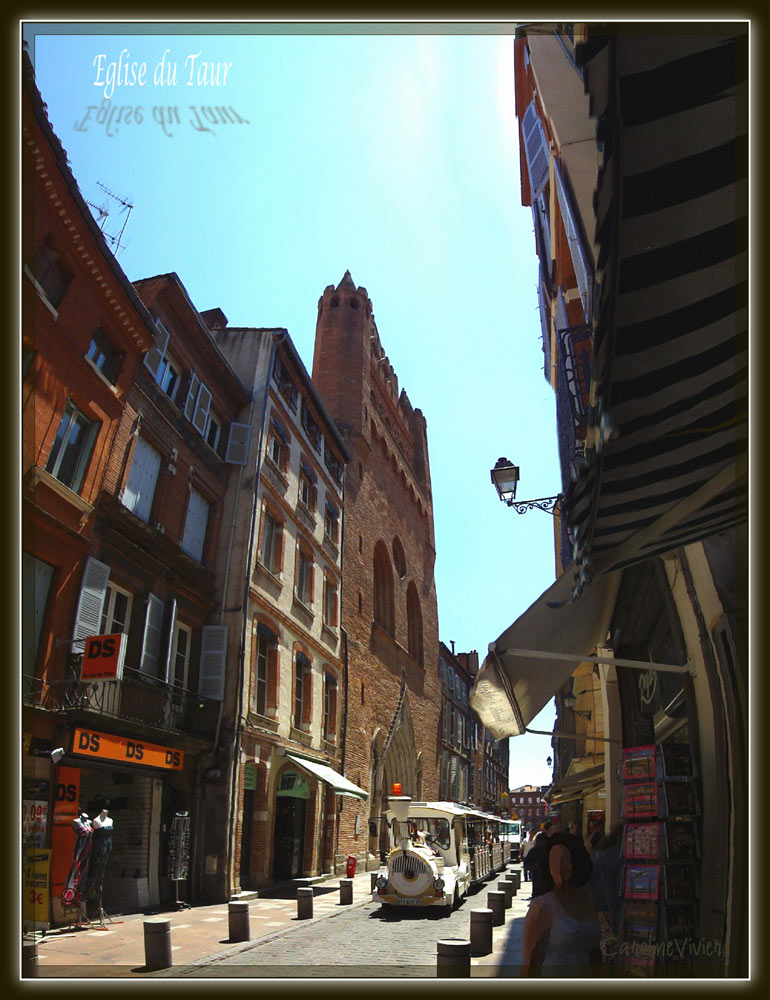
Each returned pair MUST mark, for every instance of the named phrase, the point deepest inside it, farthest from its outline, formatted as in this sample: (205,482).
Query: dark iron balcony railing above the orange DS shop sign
(136,698)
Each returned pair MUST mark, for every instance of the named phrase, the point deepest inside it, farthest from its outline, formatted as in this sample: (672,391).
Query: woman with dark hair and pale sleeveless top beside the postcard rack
(561,931)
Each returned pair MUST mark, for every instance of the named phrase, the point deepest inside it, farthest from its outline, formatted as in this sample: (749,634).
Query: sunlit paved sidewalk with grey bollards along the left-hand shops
(197,933)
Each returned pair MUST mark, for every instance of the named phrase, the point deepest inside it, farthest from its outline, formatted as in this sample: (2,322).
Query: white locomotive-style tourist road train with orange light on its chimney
(441,849)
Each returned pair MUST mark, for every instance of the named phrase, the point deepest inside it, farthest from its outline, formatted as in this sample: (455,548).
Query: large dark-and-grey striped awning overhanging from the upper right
(666,456)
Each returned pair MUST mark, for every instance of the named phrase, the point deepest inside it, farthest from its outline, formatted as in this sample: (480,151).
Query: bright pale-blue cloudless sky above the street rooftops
(394,156)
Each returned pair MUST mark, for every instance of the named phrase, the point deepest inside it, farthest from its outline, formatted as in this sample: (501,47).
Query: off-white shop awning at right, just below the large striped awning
(511,689)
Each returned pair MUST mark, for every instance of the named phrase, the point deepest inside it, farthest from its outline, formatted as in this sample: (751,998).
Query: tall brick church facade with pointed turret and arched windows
(389,609)
